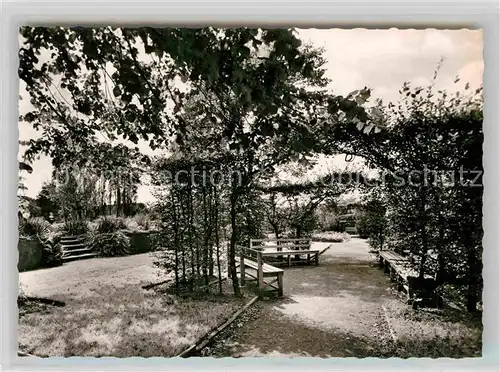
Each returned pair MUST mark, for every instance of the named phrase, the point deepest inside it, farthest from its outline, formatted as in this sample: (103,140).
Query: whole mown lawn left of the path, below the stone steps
(107,313)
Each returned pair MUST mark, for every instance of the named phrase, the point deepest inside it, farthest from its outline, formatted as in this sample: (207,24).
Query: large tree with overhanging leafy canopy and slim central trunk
(260,89)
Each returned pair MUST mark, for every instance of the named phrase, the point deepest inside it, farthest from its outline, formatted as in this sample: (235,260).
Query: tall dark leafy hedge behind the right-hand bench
(431,150)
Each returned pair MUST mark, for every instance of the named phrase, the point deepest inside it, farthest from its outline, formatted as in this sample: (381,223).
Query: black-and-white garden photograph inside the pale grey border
(250,192)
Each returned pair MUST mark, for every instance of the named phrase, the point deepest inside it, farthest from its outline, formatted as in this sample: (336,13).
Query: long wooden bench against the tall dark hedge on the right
(402,271)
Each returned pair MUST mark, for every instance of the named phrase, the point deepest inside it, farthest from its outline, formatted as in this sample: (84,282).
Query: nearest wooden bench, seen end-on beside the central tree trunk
(251,264)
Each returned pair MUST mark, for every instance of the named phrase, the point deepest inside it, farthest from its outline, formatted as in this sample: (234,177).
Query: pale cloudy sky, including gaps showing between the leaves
(379,59)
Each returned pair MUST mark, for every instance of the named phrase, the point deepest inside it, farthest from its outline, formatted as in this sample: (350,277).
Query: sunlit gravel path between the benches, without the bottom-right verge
(334,310)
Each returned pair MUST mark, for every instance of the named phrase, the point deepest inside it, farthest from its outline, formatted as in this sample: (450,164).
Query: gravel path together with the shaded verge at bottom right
(337,310)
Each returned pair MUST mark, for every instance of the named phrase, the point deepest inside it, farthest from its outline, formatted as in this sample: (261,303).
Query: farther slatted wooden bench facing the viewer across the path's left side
(287,248)
